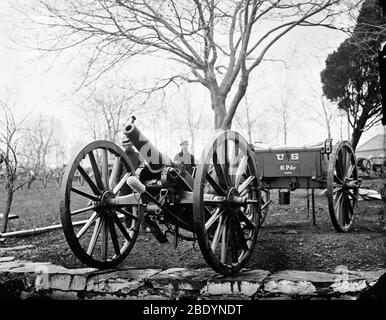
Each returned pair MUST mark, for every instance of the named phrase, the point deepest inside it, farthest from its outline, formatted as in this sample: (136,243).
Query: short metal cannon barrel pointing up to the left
(155,160)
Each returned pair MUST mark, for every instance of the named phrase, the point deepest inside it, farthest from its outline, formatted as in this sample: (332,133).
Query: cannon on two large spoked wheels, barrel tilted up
(219,205)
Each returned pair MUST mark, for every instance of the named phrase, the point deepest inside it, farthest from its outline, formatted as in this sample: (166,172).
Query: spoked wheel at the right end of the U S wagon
(342,186)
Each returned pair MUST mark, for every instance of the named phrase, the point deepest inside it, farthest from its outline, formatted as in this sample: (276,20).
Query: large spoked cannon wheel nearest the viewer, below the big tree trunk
(226,206)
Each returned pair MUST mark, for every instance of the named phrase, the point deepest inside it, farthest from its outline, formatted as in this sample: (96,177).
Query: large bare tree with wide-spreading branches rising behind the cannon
(216,43)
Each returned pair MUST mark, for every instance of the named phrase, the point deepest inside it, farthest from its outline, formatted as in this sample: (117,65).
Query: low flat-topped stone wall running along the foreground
(31,280)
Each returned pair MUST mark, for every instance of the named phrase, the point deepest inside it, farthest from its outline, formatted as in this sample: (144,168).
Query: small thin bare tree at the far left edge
(11,132)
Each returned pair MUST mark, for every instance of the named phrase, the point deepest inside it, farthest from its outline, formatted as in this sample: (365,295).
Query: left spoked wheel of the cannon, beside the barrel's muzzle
(100,235)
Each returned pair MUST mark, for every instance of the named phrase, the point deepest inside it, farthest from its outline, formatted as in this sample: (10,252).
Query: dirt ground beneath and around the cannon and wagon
(288,240)
